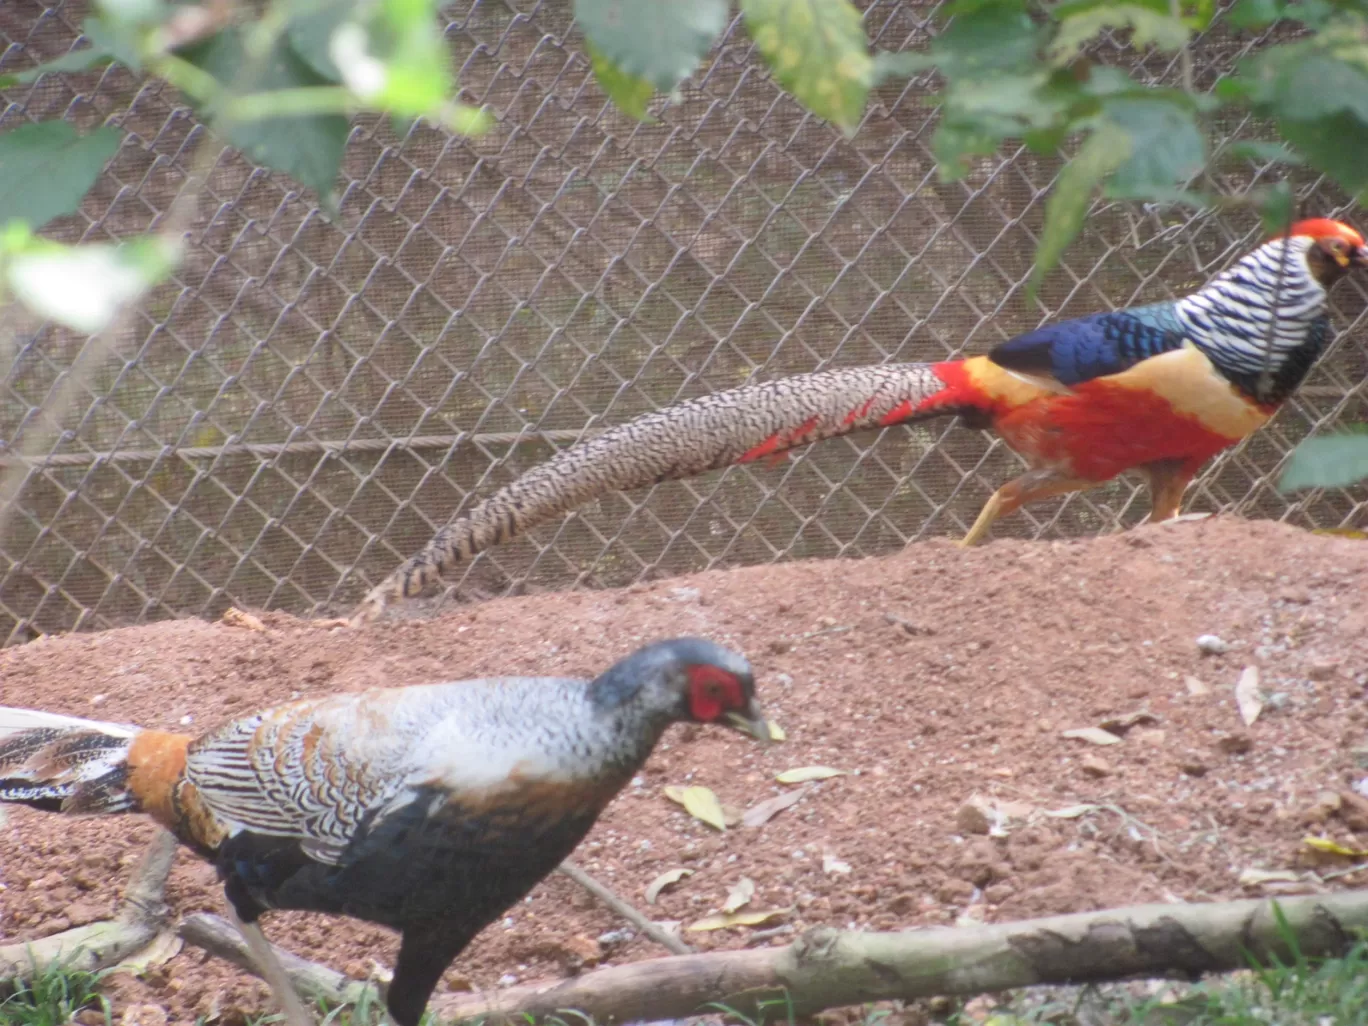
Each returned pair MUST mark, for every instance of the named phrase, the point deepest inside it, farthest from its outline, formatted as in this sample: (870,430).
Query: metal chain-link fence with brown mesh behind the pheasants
(308,400)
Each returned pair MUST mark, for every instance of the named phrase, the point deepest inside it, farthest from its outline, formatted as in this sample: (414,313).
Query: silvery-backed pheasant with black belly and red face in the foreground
(429,809)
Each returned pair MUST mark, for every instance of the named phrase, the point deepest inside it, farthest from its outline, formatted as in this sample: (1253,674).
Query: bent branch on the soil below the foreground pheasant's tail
(142,917)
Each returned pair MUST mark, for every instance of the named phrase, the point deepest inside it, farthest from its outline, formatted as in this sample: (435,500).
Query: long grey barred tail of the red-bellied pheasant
(692,438)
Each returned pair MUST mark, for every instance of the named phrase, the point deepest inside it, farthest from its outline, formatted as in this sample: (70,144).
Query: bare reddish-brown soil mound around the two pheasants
(931,676)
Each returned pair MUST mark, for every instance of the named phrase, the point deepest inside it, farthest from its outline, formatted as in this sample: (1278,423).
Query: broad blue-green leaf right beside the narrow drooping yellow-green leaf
(1166,147)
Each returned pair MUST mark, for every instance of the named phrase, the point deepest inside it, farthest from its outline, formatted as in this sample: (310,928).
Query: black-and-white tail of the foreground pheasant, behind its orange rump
(65,764)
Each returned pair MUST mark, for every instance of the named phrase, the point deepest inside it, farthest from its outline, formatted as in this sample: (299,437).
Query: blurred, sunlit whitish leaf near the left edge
(85,288)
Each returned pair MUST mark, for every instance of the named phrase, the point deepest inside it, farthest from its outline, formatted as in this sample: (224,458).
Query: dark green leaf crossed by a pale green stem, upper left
(308,147)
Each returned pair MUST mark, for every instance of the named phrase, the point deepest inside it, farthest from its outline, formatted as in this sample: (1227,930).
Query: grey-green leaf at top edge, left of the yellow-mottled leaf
(661,43)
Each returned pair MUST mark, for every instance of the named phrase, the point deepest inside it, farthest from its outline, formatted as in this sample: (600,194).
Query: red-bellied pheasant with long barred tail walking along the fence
(1157,389)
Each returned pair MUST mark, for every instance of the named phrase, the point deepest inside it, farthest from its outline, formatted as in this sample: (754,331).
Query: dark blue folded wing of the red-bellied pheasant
(1095,347)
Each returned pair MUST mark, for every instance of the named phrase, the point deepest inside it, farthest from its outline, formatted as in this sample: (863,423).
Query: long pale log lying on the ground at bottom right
(828,969)
